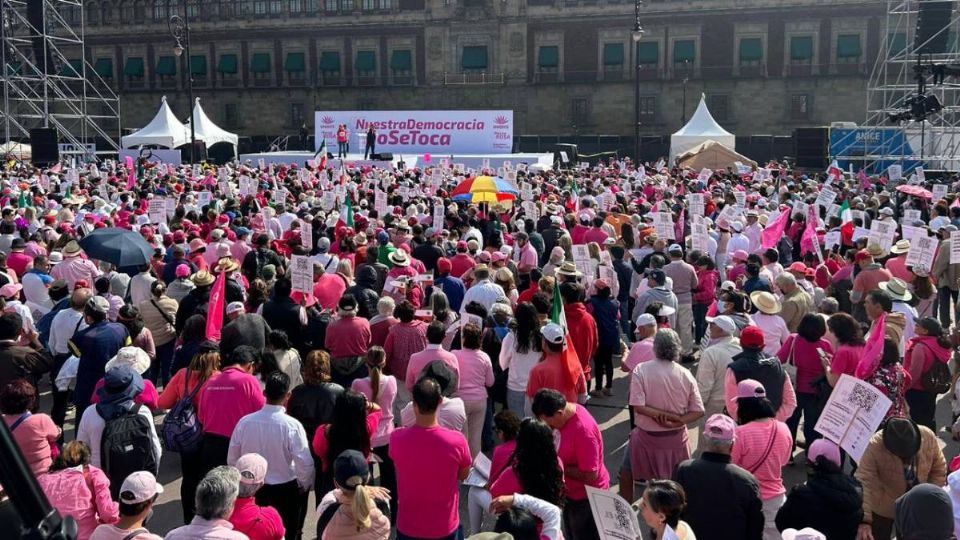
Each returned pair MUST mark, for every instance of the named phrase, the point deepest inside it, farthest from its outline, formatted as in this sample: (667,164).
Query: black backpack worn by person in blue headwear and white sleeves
(126,446)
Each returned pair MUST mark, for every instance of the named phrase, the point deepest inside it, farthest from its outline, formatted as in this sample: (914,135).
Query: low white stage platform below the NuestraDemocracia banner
(410,161)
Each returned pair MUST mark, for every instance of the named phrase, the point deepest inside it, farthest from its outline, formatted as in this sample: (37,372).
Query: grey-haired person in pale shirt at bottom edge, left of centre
(216,496)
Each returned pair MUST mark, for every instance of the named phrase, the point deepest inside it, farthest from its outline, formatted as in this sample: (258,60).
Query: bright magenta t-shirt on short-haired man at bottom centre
(429,462)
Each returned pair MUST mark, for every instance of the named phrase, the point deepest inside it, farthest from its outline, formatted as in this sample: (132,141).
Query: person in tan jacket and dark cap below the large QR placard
(899,456)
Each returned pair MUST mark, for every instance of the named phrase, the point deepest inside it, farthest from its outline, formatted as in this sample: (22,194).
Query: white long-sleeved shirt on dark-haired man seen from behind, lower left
(280,439)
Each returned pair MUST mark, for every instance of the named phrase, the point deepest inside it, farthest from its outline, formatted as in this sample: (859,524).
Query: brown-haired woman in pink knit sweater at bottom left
(76,488)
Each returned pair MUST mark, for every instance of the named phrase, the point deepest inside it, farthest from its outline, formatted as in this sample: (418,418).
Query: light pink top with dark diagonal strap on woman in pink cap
(750,452)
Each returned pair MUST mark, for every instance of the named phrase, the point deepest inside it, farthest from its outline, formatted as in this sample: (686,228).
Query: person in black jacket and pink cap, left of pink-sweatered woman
(741,508)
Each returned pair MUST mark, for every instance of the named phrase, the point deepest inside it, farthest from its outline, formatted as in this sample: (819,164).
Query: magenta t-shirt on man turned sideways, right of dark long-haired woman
(581,446)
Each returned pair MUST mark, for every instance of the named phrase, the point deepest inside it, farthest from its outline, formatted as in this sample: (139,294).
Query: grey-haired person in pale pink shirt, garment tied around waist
(665,398)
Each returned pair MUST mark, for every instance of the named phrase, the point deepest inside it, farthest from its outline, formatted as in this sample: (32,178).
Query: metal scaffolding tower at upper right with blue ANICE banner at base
(934,143)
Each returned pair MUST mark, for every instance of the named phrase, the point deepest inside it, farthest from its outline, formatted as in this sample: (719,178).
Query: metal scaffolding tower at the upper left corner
(48,80)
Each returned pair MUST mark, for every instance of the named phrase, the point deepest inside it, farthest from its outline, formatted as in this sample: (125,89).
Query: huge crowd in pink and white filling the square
(373,335)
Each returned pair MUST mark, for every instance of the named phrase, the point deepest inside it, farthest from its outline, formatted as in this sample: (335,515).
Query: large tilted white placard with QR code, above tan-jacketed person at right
(852,415)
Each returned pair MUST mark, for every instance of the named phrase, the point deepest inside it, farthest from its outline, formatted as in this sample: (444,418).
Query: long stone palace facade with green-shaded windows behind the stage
(565,67)
